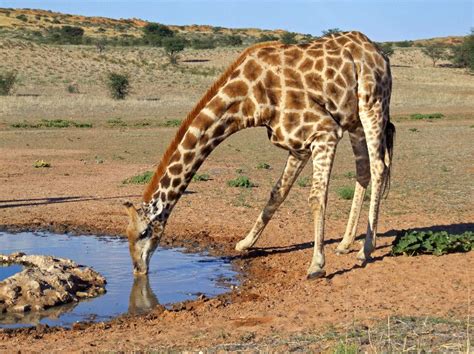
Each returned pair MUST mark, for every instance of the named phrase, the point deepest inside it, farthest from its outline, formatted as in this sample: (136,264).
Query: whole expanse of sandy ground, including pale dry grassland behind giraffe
(391,304)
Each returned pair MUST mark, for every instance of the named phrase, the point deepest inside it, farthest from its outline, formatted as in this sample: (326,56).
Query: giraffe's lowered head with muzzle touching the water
(143,238)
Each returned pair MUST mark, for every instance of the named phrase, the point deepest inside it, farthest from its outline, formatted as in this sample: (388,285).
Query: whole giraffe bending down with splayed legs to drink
(307,96)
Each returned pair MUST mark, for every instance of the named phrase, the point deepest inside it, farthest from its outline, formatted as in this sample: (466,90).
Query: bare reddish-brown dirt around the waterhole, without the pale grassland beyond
(82,191)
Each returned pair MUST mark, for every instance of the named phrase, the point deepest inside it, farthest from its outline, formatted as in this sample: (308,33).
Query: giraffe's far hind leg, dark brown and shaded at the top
(359,147)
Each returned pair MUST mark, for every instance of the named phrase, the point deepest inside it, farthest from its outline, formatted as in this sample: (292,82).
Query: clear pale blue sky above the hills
(382,20)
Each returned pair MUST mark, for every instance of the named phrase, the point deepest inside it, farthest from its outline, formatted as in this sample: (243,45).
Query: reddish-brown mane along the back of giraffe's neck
(183,128)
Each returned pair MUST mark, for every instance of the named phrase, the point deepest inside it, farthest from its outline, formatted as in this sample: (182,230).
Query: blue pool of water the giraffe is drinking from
(174,276)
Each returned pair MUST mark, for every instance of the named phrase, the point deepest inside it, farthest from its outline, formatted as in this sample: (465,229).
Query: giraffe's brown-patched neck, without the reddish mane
(211,126)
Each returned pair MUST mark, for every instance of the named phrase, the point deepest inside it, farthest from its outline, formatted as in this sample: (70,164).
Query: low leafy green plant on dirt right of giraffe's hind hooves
(438,243)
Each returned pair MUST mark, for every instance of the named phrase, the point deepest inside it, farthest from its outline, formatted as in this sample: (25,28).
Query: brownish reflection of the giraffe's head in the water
(142,298)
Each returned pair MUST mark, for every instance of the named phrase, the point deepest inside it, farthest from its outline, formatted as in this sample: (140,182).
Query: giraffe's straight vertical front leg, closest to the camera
(323,156)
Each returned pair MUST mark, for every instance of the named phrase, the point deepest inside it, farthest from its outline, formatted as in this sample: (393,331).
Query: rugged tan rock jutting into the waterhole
(46,282)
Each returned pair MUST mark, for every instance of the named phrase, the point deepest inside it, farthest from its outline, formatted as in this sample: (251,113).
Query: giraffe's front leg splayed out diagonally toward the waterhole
(293,167)
